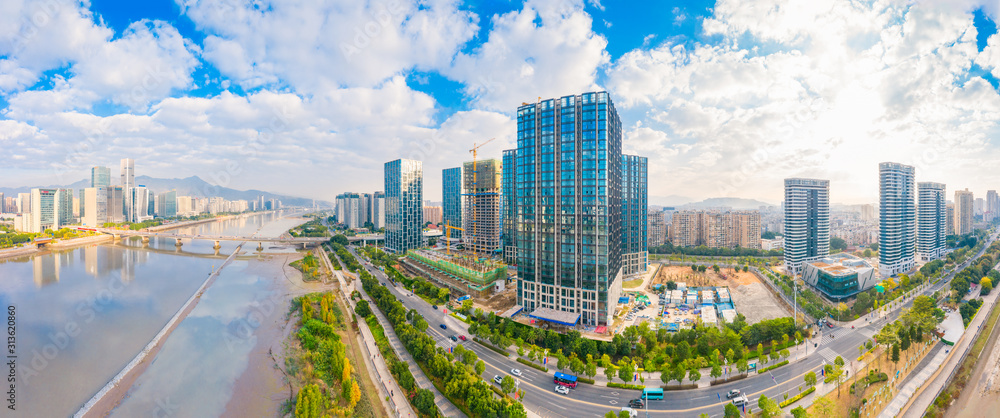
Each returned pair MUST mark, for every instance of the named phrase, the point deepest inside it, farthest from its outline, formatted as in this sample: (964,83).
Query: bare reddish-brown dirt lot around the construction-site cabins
(751,297)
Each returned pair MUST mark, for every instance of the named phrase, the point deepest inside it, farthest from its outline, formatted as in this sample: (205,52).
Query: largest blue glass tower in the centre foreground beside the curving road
(569,193)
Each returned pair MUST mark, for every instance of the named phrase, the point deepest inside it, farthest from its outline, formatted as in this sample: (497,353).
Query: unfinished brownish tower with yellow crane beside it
(481,220)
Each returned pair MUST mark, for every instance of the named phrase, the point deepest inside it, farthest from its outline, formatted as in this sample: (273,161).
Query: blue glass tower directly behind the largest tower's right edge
(635,251)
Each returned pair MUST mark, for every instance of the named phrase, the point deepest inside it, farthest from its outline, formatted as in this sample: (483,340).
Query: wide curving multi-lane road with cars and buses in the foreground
(590,400)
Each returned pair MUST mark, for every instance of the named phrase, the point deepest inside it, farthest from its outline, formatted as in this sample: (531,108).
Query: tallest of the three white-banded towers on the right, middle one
(897,219)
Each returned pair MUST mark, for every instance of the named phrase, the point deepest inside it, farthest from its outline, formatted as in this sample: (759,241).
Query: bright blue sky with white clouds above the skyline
(311,97)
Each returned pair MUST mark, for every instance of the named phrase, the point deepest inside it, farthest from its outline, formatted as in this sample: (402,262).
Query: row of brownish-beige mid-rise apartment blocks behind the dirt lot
(716,229)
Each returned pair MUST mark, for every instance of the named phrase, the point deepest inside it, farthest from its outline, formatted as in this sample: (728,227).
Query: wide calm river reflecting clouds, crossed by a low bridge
(84,313)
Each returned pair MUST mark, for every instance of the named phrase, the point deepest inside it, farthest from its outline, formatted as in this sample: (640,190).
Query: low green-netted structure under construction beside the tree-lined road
(464,275)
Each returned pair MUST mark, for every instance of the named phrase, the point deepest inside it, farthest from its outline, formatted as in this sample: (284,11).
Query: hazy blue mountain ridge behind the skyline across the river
(191,186)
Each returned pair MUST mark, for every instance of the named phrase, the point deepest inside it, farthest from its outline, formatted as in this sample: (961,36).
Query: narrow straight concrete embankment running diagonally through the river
(114,391)
